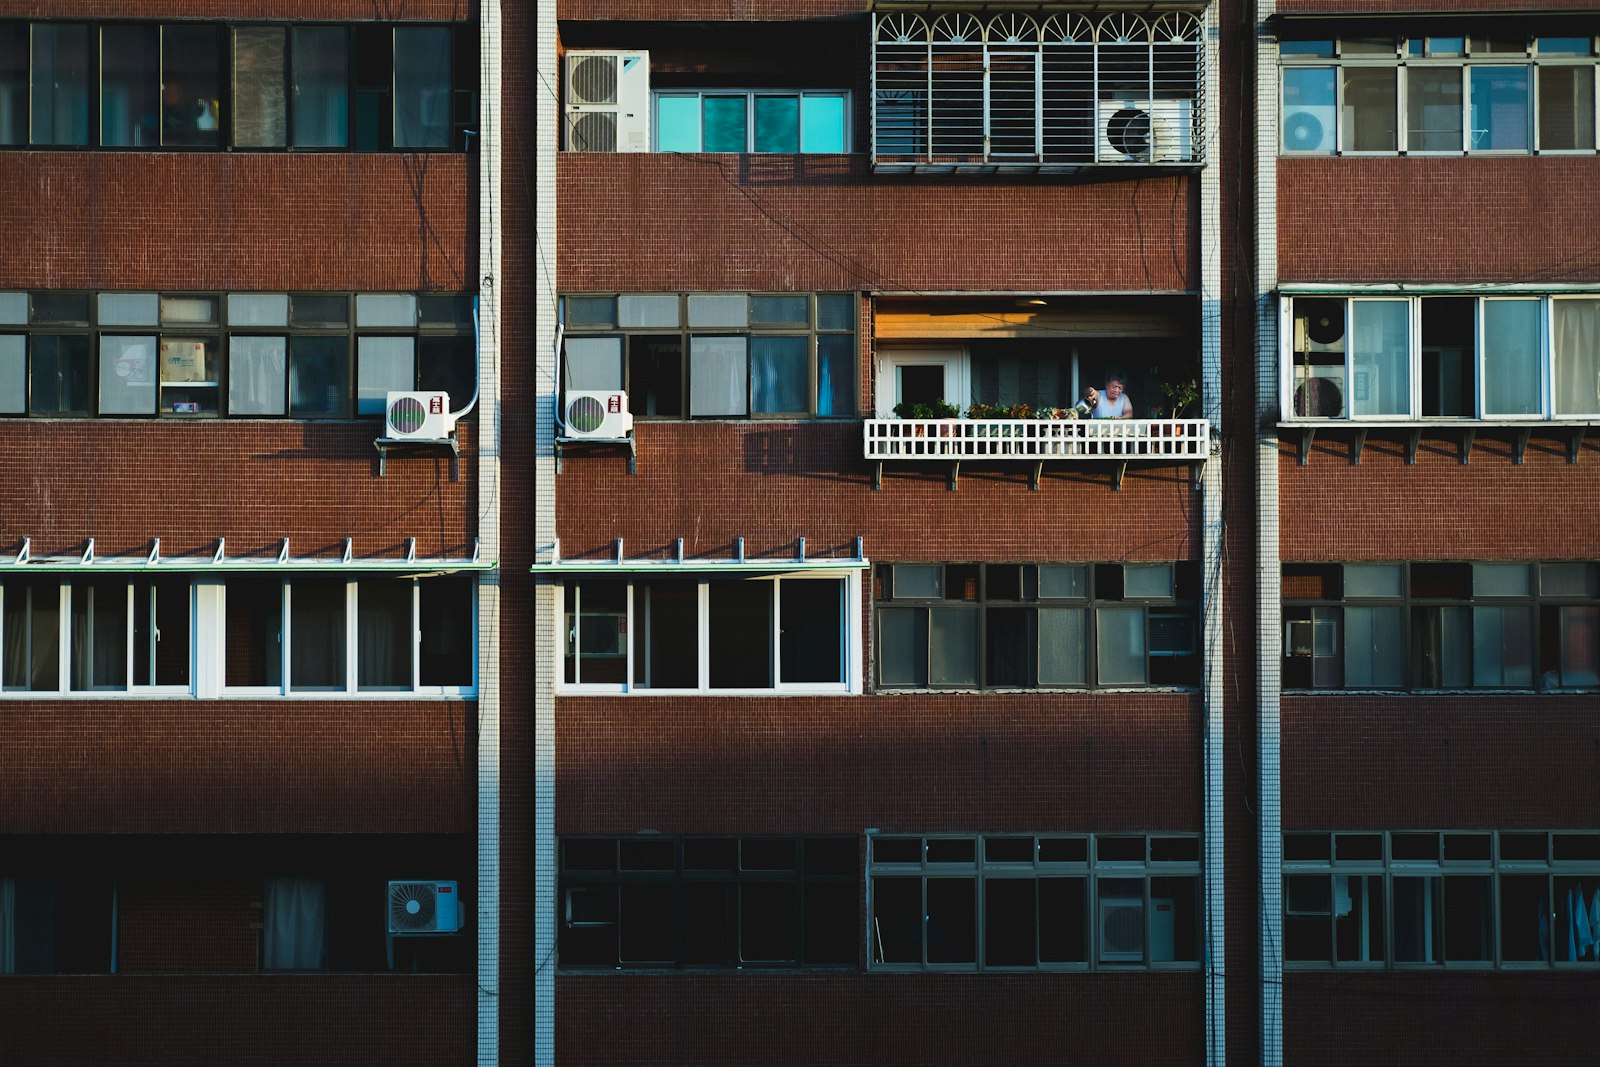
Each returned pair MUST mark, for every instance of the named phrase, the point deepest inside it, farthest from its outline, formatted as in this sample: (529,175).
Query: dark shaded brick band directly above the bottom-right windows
(1473,762)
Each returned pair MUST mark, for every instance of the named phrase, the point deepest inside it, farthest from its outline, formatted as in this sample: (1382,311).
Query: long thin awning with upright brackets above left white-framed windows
(25,562)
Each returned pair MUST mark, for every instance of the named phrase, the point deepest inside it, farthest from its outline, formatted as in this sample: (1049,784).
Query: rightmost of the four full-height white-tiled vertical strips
(1270,609)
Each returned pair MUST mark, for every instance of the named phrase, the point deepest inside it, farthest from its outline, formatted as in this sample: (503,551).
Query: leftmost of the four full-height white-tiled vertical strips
(489,310)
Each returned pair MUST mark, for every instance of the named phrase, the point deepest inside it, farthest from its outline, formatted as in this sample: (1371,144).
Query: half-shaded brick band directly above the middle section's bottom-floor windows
(841,765)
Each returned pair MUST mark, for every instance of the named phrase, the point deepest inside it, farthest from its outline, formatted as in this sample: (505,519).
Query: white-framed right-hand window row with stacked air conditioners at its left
(1442,358)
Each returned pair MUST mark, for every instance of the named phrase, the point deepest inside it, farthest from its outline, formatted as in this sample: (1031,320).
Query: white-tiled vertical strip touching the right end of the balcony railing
(1214,746)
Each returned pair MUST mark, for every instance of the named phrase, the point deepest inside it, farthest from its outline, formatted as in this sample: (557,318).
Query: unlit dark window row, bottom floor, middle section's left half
(710,903)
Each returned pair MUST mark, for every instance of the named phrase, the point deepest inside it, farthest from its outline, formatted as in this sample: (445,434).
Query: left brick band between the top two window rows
(236,222)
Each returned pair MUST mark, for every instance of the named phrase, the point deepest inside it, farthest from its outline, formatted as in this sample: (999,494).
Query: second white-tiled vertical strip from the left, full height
(546,124)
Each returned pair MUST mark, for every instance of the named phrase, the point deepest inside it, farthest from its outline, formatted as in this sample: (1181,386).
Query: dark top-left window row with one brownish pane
(369,87)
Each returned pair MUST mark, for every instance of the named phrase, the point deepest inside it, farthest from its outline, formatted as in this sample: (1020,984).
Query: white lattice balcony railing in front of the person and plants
(1038,439)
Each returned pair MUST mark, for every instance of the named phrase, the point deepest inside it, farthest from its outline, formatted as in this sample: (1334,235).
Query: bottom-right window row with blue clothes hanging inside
(1474,900)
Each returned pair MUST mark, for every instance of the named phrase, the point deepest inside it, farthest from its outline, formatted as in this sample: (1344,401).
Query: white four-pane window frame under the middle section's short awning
(850,652)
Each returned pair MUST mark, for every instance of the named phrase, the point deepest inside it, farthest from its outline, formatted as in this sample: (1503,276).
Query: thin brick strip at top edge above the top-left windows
(274,10)
